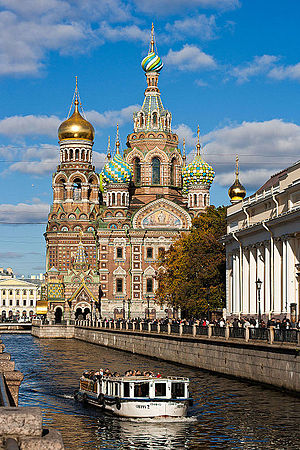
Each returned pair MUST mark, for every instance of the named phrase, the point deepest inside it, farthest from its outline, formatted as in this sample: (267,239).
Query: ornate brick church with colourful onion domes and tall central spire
(105,231)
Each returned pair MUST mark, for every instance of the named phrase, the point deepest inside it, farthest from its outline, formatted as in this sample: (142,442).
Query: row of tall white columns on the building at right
(274,263)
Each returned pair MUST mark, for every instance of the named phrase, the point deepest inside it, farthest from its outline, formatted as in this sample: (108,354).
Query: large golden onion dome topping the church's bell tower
(76,127)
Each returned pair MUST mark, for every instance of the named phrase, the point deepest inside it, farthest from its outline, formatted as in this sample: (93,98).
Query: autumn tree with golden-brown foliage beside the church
(193,273)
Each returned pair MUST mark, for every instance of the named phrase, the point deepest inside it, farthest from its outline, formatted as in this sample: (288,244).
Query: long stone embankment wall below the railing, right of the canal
(277,365)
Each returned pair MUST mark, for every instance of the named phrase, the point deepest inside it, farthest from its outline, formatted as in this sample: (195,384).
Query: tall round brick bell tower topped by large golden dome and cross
(75,192)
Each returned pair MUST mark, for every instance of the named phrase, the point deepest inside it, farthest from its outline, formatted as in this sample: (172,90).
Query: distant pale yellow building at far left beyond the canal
(18,298)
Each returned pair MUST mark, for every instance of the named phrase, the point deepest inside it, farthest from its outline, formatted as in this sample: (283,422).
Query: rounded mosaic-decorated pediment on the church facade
(162,214)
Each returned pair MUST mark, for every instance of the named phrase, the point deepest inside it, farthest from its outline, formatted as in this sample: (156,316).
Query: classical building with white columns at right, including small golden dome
(263,244)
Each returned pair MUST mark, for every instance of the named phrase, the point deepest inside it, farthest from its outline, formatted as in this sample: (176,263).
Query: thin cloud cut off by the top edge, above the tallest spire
(167,6)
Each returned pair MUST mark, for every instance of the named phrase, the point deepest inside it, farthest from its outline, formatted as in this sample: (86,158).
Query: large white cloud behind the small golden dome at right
(263,148)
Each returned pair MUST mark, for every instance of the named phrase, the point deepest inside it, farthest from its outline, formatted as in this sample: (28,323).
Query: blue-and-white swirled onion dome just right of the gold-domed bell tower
(116,170)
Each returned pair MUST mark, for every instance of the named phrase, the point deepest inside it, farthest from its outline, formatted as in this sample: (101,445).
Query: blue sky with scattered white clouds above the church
(231,66)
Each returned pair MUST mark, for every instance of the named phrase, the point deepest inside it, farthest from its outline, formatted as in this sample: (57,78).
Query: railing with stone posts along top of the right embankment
(270,335)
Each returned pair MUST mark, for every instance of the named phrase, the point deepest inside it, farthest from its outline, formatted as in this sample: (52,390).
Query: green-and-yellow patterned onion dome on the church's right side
(198,171)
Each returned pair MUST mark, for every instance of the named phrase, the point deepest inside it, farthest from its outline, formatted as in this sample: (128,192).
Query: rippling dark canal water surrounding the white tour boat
(227,414)
